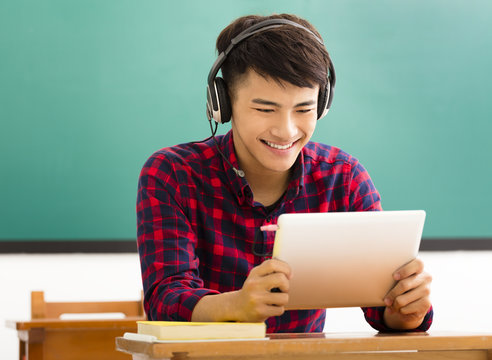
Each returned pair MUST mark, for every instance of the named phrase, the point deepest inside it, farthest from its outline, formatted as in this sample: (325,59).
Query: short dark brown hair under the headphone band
(283,53)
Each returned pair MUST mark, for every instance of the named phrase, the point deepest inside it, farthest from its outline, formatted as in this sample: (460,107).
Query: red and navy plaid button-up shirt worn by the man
(197,223)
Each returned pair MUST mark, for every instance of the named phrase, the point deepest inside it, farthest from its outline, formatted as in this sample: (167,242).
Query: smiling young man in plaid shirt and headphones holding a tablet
(201,205)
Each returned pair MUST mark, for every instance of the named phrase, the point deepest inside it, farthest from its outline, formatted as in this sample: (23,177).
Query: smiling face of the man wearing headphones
(271,122)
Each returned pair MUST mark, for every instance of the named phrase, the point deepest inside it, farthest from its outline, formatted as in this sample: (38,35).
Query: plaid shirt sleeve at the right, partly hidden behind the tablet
(365,197)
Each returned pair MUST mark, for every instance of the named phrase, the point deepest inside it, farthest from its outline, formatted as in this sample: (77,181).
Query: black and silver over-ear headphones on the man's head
(218,103)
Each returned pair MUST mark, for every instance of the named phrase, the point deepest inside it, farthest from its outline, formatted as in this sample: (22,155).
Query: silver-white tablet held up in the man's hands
(345,259)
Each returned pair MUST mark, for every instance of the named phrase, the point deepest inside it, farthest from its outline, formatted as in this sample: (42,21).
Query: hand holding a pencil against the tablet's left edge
(256,302)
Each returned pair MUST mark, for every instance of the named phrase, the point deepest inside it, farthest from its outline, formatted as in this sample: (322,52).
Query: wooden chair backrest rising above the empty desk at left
(41,309)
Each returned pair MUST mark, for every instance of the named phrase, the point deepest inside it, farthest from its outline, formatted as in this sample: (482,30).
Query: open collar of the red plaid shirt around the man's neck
(240,186)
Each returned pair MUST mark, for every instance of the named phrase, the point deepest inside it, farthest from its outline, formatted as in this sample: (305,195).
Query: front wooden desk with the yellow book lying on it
(350,346)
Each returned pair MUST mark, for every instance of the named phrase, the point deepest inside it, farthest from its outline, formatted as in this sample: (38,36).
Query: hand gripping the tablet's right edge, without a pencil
(408,302)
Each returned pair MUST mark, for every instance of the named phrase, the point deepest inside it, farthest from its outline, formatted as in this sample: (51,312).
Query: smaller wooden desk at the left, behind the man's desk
(50,339)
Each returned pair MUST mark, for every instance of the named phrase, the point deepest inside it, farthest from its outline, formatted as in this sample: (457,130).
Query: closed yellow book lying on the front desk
(182,330)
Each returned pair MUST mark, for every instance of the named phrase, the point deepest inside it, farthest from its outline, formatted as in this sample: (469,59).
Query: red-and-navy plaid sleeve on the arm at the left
(166,245)
